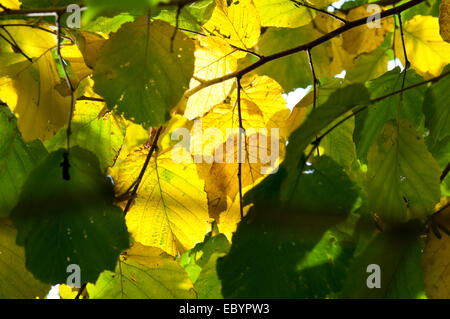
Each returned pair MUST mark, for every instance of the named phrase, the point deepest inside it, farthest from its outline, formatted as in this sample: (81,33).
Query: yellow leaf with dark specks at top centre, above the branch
(238,23)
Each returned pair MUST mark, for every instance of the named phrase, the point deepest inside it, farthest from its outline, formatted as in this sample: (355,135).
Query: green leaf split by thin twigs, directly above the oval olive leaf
(370,122)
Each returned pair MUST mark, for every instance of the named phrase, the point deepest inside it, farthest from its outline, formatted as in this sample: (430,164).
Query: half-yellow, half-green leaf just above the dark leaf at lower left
(93,129)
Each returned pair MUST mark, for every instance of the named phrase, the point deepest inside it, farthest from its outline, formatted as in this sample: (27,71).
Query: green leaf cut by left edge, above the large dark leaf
(17,159)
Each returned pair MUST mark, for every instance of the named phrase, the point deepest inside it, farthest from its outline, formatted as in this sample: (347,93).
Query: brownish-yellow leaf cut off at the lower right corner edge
(435,260)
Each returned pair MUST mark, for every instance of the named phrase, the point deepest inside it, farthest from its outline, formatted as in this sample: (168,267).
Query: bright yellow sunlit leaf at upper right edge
(425,49)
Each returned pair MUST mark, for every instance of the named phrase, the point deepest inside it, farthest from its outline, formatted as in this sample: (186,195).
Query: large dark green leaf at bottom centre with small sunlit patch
(293,250)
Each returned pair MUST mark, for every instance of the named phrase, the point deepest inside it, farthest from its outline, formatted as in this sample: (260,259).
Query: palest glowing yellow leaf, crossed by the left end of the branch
(213,58)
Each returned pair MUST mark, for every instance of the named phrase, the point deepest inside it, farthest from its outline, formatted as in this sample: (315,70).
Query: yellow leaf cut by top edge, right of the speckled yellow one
(282,13)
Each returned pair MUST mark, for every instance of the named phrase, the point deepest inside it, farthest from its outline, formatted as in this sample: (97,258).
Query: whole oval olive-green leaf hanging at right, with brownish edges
(402,176)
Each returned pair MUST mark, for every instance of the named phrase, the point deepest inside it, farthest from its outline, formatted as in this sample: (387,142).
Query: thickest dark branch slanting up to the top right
(300,48)
